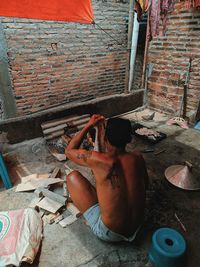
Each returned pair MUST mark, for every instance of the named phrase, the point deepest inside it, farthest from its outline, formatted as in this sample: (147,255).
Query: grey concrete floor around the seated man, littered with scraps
(75,245)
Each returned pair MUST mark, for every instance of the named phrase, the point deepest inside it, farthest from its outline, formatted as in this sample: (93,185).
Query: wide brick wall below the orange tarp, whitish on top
(52,63)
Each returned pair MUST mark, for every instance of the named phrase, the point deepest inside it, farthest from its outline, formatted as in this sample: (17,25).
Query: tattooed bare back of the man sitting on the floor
(121,191)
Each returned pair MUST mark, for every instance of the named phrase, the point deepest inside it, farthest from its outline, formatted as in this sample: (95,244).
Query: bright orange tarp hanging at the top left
(63,10)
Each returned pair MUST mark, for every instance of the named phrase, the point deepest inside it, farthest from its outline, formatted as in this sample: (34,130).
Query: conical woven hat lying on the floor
(182,177)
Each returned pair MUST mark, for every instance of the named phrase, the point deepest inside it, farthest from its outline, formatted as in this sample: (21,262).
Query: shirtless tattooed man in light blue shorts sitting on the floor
(115,209)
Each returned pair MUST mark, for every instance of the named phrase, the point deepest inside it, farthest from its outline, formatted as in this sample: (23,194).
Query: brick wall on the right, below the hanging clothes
(169,55)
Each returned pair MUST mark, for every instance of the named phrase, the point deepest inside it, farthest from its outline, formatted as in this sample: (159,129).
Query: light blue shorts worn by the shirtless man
(93,216)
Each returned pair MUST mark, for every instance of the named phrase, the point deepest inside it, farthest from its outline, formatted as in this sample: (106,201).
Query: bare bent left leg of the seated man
(81,191)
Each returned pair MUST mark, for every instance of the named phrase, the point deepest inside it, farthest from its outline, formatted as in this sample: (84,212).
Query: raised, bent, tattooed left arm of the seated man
(73,151)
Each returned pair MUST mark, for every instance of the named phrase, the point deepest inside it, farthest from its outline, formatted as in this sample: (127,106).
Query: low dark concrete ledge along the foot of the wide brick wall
(28,127)
